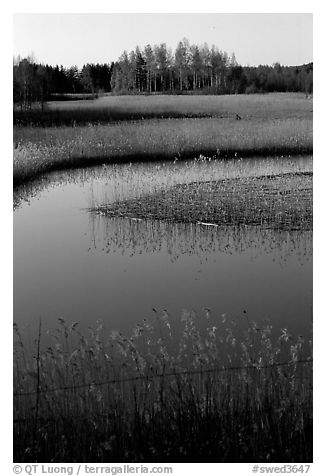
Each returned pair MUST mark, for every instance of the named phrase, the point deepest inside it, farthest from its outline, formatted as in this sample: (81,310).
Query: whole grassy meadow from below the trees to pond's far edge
(167,128)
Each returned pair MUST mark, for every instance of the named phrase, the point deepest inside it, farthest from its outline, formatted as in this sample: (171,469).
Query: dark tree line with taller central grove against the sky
(189,69)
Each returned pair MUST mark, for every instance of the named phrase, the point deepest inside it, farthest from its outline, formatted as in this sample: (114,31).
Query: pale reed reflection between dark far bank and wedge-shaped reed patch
(117,182)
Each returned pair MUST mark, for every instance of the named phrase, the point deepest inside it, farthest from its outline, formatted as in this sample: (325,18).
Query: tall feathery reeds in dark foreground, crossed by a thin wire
(220,390)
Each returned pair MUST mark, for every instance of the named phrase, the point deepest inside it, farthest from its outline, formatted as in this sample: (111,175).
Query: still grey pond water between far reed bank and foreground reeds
(75,261)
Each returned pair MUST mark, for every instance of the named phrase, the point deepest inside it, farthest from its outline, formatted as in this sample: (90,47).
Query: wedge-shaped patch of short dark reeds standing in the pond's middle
(278,201)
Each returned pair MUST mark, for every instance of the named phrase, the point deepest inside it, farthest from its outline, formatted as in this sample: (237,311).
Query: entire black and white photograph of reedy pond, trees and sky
(162,241)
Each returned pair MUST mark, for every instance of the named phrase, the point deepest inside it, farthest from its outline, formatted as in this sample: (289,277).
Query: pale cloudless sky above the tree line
(75,39)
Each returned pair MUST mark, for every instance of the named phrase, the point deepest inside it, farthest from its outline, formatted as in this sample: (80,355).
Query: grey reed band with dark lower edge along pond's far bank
(38,150)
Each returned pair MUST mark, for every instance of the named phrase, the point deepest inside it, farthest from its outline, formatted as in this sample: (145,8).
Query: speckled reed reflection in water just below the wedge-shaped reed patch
(133,236)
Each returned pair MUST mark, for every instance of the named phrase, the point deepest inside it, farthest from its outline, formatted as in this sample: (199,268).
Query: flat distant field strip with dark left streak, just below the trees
(120,108)
